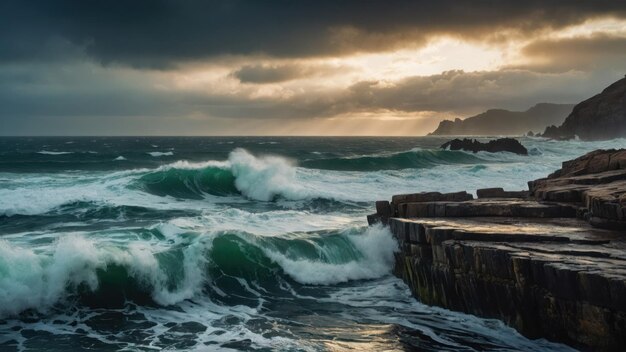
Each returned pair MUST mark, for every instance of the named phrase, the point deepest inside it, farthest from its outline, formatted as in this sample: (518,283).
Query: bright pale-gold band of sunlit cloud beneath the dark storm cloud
(438,55)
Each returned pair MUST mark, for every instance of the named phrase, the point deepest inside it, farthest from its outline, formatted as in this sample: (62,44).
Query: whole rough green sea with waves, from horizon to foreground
(232,243)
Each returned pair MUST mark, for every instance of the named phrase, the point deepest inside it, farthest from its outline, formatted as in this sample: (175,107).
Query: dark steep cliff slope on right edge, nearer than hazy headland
(598,118)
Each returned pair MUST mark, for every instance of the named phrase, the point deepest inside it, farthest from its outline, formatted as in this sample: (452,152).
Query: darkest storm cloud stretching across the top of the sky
(159,33)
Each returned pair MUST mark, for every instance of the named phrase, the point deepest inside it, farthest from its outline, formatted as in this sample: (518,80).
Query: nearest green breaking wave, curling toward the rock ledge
(218,265)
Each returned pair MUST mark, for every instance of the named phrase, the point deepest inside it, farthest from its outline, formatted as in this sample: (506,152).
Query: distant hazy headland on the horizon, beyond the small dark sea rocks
(504,122)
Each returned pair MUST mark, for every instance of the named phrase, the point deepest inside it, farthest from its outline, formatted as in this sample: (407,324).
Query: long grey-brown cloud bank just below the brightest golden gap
(455,92)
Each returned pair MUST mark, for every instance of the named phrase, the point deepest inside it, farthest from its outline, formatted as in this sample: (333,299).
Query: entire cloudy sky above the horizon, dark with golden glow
(341,67)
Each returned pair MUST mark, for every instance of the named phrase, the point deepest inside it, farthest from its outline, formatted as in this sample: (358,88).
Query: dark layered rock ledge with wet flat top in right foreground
(550,261)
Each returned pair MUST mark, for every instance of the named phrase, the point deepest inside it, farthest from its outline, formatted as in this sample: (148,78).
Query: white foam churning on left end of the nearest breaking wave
(38,279)
